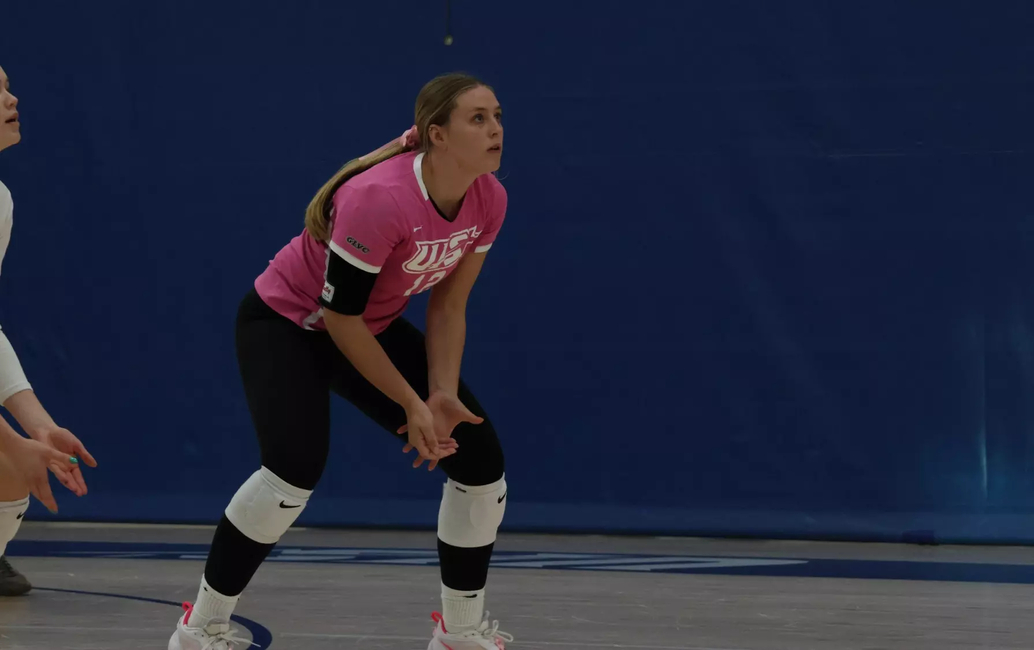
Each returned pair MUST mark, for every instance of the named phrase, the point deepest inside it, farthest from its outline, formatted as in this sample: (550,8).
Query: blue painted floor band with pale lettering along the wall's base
(615,563)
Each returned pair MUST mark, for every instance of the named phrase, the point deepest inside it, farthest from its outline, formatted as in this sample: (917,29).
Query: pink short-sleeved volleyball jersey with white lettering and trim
(384,224)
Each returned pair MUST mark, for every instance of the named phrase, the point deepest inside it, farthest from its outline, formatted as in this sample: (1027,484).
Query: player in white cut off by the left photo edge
(23,462)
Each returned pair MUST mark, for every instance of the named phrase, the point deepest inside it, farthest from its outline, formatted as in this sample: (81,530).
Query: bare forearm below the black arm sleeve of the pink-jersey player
(356,342)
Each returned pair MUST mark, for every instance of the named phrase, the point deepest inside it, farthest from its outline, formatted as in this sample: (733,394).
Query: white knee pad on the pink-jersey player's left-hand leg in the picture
(266,507)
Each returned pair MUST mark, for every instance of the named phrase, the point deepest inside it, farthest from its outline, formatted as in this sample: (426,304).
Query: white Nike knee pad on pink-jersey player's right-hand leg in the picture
(470,517)
